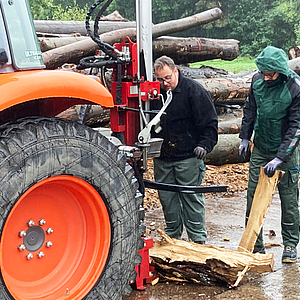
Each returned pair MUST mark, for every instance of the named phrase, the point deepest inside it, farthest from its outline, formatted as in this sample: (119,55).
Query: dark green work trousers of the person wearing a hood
(288,193)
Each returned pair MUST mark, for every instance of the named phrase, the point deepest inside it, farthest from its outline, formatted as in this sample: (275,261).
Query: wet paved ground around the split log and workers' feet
(225,226)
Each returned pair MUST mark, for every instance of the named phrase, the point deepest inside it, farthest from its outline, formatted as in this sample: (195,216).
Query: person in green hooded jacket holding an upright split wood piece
(272,111)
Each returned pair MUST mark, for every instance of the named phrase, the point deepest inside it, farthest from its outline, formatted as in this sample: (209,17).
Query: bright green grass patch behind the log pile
(237,65)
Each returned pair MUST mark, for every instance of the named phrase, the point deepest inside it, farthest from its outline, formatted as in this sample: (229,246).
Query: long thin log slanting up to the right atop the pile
(55,58)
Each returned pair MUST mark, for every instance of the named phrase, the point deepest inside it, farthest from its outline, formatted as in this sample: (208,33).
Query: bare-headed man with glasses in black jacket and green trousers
(190,131)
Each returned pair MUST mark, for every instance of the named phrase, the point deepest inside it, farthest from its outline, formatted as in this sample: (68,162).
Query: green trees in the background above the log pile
(255,23)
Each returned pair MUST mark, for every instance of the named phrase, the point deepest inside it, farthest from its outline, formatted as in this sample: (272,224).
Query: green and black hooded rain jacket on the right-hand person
(272,109)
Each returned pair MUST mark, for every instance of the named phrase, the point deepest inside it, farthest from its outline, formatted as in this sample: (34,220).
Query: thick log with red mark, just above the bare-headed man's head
(188,50)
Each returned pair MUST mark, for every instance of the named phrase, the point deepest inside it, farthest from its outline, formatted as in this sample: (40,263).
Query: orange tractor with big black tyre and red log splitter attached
(71,199)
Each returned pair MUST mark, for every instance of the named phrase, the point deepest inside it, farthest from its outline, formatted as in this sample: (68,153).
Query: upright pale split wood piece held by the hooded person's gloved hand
(260,205)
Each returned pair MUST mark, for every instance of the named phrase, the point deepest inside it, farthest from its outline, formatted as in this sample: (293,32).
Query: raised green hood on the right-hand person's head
(272,59)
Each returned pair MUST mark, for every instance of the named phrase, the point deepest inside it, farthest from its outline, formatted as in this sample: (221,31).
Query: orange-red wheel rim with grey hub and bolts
(81,238)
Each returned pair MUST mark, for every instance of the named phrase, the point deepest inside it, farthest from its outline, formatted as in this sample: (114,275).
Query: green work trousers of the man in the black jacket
(180,208)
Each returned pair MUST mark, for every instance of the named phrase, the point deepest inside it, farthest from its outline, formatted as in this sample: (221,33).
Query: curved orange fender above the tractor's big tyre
(20,87)
